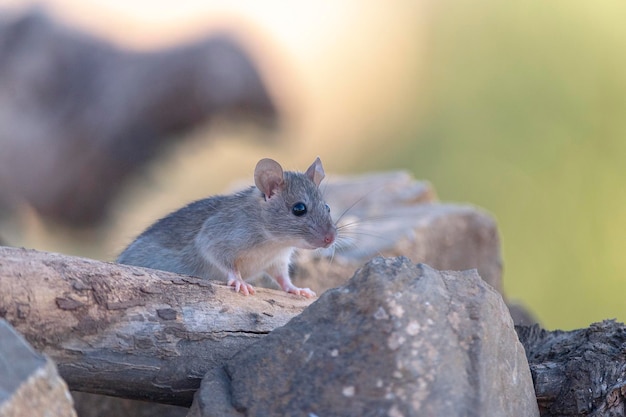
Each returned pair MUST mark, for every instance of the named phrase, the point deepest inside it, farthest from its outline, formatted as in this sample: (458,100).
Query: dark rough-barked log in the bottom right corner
(580,372)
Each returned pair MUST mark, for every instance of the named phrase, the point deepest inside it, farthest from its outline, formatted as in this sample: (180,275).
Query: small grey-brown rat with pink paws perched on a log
(239,236)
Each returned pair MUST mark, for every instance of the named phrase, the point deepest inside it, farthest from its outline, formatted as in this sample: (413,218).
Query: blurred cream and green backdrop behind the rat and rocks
(518,108)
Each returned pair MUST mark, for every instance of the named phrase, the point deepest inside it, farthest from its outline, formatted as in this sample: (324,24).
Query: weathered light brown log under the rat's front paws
(132,332)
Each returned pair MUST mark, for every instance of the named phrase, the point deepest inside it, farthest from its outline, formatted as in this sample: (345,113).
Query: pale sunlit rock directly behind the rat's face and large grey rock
(392,214)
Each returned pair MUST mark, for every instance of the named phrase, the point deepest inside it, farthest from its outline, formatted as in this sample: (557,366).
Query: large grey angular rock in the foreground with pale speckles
(397,340)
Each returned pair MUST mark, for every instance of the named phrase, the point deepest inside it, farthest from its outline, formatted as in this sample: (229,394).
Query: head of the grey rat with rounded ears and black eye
(294,209)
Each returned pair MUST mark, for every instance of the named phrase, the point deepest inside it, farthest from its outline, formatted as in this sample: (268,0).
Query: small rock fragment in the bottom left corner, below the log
(29,383)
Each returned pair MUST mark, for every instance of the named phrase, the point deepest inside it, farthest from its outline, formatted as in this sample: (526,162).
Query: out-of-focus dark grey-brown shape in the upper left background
(79,115)
